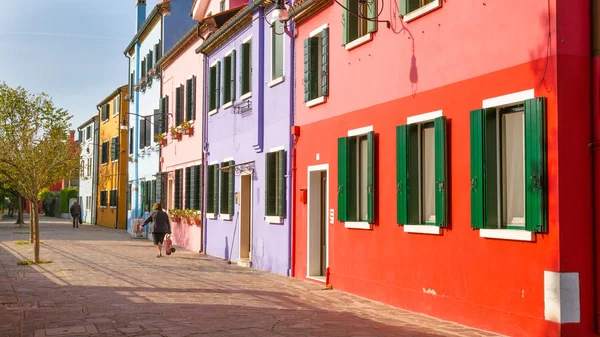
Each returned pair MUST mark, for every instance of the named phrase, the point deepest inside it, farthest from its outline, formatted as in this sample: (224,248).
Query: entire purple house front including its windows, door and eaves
(248,113)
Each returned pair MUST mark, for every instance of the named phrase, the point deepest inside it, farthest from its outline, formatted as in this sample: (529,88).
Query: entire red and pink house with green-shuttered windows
(443,163)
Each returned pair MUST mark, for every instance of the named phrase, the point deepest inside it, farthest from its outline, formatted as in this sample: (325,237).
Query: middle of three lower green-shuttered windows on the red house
(421,173)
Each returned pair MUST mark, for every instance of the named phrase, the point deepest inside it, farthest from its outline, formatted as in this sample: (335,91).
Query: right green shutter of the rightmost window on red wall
(535,165)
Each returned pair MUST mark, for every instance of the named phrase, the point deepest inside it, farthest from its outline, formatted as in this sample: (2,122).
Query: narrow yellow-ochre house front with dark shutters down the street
(113,146)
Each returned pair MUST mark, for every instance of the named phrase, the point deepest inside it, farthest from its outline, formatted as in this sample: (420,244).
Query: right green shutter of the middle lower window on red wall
(441,184)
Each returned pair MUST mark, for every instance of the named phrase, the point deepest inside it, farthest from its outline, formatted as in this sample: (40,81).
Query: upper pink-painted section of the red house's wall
(506,34)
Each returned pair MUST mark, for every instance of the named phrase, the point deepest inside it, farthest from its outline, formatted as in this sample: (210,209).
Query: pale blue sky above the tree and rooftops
(70,49)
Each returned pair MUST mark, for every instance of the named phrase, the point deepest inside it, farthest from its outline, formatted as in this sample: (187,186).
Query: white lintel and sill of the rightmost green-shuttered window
(504,233)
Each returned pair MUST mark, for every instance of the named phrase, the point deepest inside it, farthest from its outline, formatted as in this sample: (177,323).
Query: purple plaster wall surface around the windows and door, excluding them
(246,136)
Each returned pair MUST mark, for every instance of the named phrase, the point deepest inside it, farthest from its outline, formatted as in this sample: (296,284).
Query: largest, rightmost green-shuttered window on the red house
(508,167)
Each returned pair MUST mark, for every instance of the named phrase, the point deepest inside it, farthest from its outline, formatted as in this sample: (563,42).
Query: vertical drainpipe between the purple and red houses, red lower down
(293,140)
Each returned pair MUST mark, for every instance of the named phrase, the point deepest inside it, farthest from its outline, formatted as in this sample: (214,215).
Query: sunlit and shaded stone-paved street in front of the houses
(102,283)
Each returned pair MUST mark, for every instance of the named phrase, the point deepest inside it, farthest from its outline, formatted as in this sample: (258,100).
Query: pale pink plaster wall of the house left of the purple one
(187,151)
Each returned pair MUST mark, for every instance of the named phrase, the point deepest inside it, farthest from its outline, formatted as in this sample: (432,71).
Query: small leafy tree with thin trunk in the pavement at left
(35,149)
